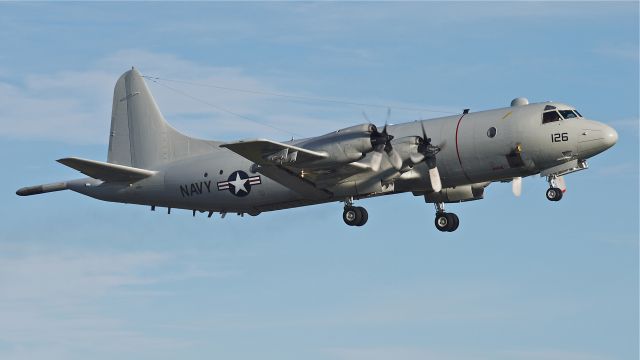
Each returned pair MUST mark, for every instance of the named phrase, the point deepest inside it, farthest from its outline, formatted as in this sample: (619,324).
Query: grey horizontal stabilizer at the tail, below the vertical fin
(106,171)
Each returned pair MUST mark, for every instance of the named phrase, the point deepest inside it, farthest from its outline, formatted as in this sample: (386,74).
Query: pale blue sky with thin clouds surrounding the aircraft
(521,278)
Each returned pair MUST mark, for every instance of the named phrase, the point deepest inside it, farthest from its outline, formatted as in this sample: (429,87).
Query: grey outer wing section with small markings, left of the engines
(268,152)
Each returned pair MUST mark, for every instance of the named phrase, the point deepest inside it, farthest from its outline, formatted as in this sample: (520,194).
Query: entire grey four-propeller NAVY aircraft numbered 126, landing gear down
(446,160)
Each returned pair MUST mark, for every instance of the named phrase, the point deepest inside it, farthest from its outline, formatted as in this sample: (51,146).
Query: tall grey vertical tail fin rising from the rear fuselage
(140,136)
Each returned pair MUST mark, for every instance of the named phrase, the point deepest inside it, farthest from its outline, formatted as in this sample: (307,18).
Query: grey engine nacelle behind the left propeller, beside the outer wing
(343,146)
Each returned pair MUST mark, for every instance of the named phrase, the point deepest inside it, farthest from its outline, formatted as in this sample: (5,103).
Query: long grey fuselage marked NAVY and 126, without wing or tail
(486,146)
